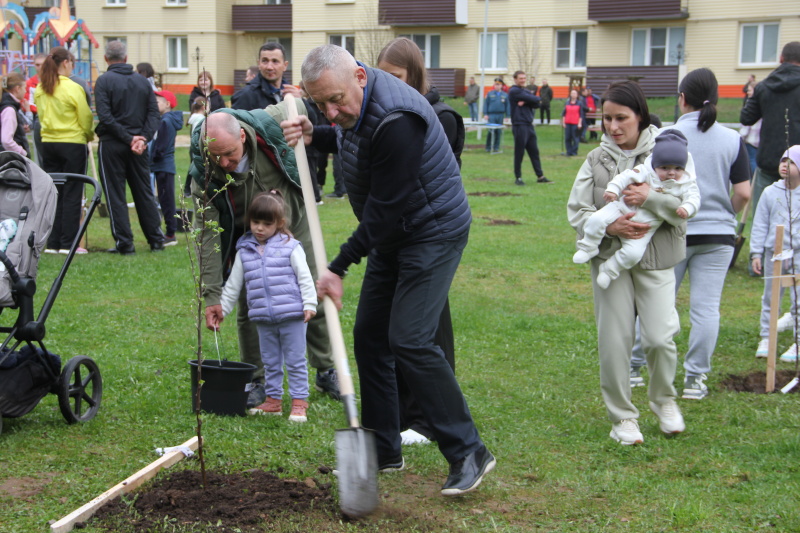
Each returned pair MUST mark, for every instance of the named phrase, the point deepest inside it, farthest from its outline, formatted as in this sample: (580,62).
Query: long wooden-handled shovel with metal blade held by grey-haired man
(356,458)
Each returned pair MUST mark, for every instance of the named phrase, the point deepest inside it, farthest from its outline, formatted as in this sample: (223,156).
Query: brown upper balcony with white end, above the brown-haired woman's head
(423,12)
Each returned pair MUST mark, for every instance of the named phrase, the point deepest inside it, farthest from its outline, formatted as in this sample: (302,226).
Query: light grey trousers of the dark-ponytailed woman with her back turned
(707,265)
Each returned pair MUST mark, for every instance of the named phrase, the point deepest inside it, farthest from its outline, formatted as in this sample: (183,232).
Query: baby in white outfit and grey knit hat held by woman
(665,171)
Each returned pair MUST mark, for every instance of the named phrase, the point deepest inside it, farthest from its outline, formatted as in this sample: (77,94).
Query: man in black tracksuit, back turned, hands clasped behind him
(128,118)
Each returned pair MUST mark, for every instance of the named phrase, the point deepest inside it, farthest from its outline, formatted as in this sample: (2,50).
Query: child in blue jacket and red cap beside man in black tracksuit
(162,161)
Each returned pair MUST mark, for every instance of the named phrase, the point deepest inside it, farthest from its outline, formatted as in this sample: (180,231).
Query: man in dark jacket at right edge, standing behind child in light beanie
(776,101)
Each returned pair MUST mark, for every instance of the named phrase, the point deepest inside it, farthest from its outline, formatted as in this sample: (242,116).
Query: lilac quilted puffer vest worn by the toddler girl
(273,292)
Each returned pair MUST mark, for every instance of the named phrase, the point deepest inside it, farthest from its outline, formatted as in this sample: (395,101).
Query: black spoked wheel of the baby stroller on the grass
(80,389)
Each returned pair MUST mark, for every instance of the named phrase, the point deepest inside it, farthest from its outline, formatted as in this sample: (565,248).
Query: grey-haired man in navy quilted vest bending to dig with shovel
(405,188)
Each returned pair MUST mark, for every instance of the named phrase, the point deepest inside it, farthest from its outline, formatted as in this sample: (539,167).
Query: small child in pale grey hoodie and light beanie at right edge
(779,204)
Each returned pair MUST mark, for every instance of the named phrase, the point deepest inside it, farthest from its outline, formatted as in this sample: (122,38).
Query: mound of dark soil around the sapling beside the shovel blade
(232,502)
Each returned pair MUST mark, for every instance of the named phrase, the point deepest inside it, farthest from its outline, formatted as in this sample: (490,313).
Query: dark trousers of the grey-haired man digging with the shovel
(402,296)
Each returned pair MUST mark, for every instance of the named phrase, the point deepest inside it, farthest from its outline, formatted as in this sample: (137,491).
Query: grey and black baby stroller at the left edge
(28,371)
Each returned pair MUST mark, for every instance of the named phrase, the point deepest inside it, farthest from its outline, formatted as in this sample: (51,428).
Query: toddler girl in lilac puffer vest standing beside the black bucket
(281,299)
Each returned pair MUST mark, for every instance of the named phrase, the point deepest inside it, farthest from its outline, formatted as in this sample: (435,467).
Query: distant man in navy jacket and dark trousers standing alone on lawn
(523,102)
